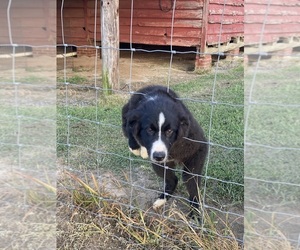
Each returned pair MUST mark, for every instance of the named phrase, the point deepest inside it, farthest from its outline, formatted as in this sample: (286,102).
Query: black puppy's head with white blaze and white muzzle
(157,129)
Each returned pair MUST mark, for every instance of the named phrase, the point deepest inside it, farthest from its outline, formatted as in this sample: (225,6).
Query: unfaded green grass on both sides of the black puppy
(96,139)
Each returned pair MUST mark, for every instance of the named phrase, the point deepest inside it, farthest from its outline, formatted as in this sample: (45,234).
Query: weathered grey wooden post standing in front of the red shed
(110,44)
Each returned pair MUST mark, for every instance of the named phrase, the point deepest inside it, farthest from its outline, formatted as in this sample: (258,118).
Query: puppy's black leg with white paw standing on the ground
(170,185)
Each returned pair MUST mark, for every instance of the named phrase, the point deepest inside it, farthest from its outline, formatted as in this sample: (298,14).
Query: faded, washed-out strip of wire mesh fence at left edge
(28,129)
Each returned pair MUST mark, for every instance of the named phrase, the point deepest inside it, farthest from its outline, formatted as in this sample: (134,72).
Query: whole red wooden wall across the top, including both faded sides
(35,24)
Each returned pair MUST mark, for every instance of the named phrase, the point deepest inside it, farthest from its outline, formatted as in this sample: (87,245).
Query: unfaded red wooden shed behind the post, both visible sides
(207,25)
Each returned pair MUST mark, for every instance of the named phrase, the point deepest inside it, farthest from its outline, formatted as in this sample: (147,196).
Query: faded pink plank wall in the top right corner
(278,20)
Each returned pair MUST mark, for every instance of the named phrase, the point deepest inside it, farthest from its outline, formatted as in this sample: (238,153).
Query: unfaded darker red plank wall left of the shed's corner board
(150,25)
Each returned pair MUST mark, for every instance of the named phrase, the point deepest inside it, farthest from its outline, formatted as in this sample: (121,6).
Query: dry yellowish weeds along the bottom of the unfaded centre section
(139,229)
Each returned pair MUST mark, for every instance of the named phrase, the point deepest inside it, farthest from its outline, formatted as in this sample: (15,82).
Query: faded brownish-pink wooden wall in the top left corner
(31,22)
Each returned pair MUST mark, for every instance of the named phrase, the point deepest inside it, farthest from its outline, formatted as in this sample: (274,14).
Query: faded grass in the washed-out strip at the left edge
(28,166)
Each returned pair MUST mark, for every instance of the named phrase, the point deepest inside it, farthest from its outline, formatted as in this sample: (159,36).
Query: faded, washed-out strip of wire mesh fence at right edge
(271,185)
